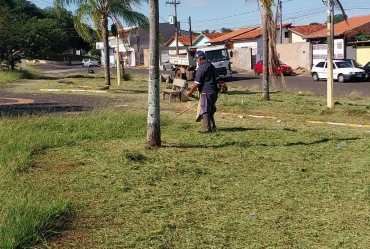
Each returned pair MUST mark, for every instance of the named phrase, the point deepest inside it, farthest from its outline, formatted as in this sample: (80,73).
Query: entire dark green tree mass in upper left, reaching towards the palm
(28,32)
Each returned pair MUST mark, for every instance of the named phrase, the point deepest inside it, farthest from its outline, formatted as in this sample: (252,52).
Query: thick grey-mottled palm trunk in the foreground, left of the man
(154,128)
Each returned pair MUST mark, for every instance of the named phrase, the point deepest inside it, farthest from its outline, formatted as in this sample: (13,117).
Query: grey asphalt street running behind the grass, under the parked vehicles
(247,80)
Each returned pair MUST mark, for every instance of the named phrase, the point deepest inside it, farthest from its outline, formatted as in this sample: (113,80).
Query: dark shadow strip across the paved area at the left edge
(39,109)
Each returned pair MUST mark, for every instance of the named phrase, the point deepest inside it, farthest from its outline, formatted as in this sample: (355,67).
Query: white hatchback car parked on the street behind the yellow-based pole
(342,71)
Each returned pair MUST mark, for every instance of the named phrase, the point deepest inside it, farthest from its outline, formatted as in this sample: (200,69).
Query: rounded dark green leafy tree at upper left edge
(24,34)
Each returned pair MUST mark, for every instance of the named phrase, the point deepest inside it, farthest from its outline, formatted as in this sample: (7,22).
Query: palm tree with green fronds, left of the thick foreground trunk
(98,12)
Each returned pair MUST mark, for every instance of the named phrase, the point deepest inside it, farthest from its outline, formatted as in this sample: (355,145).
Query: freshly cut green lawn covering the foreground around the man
(267,178)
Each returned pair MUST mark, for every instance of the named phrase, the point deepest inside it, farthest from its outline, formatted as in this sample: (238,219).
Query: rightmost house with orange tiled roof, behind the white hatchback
(344,32)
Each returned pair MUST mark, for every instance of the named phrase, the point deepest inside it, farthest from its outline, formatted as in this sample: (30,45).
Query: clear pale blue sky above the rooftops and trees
(213,15)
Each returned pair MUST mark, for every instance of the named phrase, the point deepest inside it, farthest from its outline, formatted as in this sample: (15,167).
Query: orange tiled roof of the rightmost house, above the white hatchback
(343,27)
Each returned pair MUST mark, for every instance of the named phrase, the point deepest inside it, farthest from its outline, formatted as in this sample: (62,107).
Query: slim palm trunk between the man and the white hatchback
(265,76)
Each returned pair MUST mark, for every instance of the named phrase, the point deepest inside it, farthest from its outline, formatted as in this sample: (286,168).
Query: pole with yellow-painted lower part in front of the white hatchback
(329,61)
